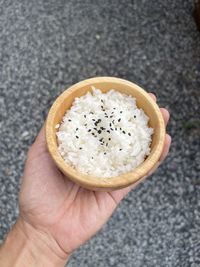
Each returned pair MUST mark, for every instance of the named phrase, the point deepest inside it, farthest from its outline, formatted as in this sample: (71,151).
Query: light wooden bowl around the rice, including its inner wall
(144,101)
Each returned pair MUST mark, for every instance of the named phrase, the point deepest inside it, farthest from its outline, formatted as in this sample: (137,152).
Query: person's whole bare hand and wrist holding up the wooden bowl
(57,215)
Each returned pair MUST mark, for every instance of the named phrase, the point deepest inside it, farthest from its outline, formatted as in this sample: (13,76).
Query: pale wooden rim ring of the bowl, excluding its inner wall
(99,183)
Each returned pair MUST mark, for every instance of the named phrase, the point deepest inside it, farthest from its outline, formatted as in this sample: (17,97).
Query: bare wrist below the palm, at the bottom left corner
(26,246)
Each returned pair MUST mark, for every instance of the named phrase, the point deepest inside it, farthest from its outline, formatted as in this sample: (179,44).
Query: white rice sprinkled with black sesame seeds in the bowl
(119,147)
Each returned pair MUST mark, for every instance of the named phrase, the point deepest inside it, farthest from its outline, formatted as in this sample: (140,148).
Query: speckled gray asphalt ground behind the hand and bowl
(45,46)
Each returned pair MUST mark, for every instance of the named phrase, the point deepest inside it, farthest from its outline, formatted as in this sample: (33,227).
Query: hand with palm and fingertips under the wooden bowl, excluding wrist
(49,201)
